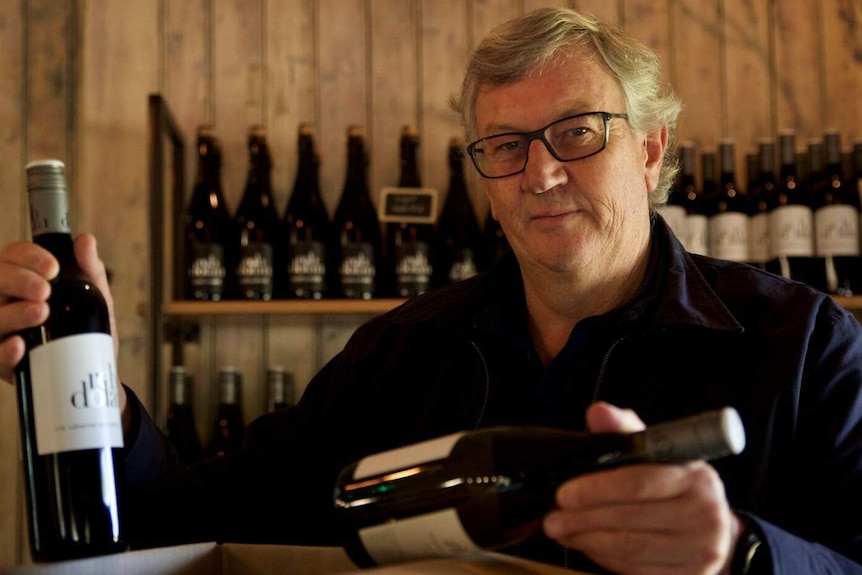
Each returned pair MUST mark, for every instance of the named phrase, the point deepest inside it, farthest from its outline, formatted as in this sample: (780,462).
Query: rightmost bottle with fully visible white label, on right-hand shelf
(836,220)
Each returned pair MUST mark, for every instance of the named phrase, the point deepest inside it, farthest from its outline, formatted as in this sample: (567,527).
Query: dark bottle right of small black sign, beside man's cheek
(458,235)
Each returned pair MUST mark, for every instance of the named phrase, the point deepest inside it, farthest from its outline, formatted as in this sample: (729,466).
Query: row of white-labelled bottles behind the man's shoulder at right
(801,221)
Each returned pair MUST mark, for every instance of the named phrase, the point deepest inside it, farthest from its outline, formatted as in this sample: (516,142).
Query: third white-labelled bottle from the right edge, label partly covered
(759,198)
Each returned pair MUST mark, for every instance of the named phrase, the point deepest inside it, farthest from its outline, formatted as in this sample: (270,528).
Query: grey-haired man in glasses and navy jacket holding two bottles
(597,306)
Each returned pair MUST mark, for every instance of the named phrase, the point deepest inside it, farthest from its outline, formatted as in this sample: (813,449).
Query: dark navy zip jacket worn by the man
(701,334)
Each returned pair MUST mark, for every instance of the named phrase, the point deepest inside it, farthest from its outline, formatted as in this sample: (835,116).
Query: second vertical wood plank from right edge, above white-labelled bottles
(799,100)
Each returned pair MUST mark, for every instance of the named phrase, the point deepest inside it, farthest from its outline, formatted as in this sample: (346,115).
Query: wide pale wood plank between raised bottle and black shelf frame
(119,69)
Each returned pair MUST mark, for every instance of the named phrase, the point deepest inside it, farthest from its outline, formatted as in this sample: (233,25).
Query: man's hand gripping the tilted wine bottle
(646,519)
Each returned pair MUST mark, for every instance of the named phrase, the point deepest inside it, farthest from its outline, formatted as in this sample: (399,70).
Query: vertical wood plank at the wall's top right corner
(842,73)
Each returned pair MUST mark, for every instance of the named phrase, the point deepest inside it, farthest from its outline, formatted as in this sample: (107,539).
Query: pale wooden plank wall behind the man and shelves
(76,76)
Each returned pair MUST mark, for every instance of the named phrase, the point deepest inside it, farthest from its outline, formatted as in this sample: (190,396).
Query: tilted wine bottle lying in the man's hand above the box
(490,488)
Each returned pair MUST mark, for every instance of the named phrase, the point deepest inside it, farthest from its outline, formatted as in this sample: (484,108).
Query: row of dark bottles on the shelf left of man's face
(258,255)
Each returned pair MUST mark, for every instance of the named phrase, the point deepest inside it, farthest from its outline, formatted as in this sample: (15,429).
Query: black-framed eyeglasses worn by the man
(568,139)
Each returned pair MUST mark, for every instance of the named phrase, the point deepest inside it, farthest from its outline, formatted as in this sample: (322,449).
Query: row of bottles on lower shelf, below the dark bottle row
(228,425)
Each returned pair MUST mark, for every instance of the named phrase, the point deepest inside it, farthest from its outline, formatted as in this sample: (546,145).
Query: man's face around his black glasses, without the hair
(570,217)
